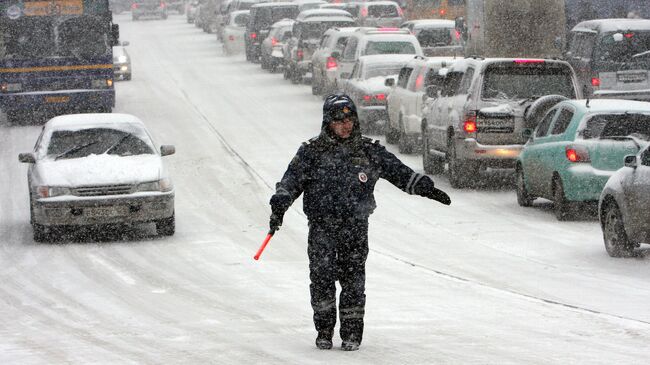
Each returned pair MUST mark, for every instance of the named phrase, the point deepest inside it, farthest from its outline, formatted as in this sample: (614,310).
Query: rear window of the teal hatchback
(617,125)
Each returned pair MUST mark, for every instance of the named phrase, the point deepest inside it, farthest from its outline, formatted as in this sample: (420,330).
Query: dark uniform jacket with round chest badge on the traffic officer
(338,178)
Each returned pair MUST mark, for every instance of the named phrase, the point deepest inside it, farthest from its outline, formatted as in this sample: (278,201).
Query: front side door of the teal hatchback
(531,155)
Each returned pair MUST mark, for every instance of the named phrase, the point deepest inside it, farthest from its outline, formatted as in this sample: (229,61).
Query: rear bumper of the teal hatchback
(582,182)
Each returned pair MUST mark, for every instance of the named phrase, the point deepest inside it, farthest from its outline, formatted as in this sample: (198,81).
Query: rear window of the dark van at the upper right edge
(621,47)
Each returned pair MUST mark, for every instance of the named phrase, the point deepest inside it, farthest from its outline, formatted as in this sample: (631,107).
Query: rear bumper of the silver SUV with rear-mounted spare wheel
(492,155)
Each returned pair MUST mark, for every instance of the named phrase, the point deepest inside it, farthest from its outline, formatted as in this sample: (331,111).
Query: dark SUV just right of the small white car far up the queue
(262,16)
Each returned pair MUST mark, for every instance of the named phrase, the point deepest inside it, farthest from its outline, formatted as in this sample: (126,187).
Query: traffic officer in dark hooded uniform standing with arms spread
(337,172)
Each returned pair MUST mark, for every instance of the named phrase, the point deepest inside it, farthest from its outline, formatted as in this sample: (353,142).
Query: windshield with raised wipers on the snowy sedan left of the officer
(97,141)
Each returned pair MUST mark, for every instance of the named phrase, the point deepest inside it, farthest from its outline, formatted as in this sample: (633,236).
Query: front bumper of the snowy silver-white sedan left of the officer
(132,208)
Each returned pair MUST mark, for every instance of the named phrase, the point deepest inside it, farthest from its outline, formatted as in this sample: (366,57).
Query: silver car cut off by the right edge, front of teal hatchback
(623,206)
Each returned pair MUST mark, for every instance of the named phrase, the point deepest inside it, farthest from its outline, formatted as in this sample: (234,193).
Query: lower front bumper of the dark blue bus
(57,100)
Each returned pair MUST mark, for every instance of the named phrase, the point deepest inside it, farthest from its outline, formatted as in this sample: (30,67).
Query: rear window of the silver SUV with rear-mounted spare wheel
(519,82)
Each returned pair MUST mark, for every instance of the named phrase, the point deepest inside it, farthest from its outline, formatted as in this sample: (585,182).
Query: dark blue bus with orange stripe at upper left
(56,57)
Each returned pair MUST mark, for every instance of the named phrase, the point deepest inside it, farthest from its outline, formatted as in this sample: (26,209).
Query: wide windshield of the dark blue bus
(40,37)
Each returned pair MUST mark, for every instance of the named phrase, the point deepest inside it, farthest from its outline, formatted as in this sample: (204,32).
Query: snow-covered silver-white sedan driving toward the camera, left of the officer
(89,169)
